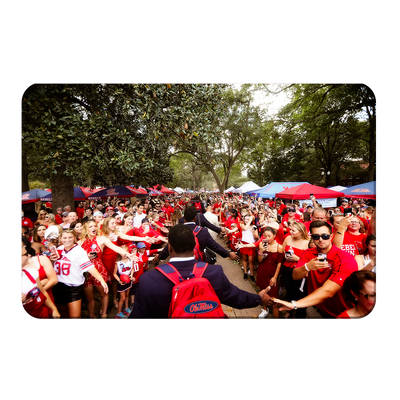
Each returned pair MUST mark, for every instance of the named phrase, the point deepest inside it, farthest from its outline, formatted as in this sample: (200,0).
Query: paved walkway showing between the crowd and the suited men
(235,276)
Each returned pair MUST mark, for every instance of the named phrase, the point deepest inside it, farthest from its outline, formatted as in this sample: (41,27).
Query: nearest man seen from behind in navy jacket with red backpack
(188,290)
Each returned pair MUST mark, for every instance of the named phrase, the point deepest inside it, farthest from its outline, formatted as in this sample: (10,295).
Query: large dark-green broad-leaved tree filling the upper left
(111,134)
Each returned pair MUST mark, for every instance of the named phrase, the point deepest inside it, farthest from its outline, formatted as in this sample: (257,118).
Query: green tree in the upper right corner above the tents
(329,114)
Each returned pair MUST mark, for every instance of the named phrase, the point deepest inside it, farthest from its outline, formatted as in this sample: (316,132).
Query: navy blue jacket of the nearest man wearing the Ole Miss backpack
(154,293)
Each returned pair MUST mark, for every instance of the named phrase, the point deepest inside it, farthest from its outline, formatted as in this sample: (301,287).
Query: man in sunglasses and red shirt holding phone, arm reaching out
(324,278)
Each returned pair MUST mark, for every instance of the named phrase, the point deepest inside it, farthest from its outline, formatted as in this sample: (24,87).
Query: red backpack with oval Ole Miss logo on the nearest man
(193,299)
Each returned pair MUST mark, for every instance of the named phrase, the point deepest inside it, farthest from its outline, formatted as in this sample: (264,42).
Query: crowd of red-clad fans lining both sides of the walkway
(308,263)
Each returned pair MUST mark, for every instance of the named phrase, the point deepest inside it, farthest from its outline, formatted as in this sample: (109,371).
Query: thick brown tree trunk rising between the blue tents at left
(62,190)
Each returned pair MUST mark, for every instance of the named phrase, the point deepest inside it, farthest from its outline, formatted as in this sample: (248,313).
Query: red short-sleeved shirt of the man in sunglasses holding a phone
(342,265)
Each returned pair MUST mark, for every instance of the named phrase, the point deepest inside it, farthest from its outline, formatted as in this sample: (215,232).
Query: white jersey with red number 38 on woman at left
(71,265)
